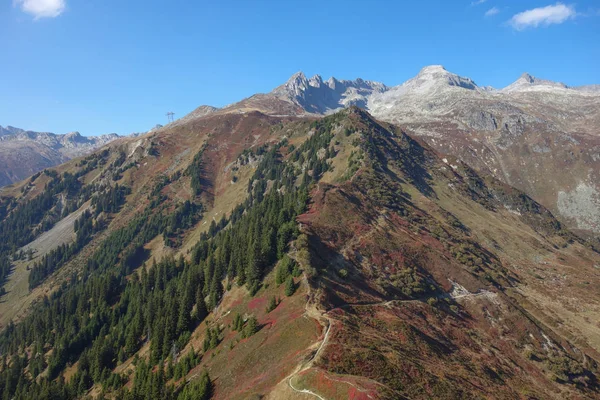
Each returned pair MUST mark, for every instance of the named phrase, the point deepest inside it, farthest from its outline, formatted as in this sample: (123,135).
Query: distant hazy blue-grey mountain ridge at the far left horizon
(23,153)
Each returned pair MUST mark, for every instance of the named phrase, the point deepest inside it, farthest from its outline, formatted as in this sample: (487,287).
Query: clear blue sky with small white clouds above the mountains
(100,66)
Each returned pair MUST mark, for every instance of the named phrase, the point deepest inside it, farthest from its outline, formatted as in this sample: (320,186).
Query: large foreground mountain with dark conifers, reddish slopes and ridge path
(241,255)
